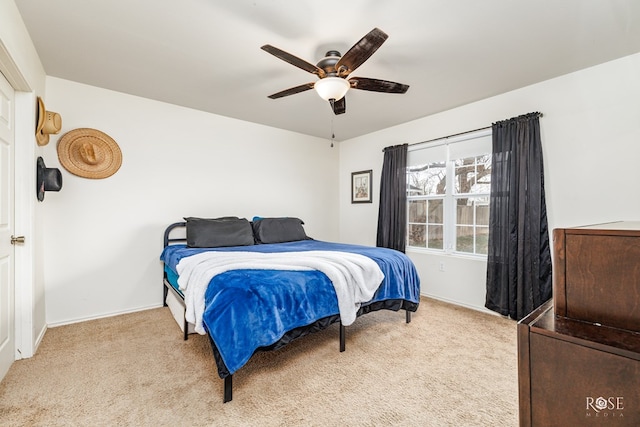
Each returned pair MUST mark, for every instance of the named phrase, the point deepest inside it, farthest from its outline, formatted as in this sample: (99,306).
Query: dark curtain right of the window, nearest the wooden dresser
(519,259)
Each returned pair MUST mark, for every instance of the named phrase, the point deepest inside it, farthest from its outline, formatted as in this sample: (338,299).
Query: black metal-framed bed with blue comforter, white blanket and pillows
(258,285)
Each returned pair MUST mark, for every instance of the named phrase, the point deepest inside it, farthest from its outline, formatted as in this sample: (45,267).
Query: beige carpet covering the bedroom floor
(449,367)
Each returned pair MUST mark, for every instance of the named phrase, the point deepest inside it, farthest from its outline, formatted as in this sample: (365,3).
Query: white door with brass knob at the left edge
(7,285)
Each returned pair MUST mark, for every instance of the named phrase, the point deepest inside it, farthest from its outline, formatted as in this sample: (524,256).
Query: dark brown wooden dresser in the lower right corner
(579,354)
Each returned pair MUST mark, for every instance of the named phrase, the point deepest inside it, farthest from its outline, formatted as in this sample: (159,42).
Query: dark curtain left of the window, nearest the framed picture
(392,212)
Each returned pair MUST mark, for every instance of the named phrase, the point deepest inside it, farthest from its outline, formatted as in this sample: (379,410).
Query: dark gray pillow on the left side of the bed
(218,232)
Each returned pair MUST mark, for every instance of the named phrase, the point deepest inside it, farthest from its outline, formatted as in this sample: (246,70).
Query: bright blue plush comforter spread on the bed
(249,309)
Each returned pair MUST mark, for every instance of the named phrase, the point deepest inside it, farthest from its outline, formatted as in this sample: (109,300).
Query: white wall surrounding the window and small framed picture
(591,144)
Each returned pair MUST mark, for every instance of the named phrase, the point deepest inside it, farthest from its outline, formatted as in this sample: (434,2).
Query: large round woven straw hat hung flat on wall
(89,153)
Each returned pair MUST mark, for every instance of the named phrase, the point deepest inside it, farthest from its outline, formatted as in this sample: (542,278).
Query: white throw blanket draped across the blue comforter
(354,277)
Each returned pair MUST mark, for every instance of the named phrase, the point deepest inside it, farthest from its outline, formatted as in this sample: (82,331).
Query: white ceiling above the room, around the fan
(205,54)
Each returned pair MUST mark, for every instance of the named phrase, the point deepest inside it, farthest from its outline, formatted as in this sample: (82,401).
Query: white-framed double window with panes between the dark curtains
(448,186)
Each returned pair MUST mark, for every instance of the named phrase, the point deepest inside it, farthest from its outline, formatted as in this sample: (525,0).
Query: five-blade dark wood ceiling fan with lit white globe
(334,69)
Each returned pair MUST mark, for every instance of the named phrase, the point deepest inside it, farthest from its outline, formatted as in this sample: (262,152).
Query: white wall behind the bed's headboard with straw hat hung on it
(104,237)
